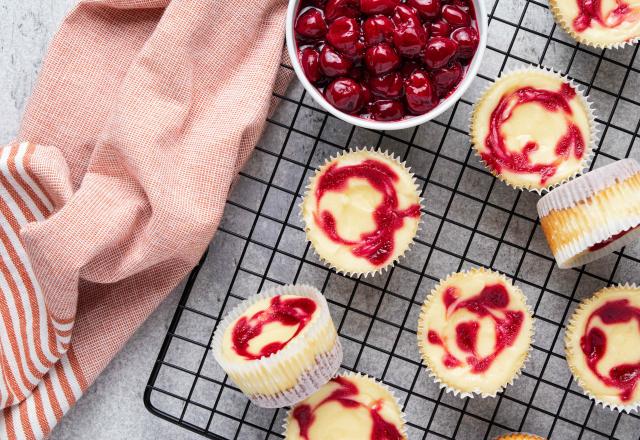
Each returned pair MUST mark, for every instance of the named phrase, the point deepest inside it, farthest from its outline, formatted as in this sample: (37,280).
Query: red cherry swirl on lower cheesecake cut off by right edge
(625,377)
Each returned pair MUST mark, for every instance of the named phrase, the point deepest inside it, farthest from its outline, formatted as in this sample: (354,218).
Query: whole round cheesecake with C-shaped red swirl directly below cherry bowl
(361,211)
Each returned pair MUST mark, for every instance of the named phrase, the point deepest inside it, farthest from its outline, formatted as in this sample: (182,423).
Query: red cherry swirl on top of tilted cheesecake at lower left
(288,312)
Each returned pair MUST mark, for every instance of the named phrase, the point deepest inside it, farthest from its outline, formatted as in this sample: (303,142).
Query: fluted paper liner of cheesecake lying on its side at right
(608,186)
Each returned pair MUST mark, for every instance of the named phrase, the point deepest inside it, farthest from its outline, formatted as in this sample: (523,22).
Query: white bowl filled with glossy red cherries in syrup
(386,64)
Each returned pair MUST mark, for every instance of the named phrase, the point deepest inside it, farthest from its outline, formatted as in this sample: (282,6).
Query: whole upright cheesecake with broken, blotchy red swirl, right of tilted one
(474,332)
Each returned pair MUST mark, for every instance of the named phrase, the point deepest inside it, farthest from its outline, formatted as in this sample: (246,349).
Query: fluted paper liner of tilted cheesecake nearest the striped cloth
(306,363)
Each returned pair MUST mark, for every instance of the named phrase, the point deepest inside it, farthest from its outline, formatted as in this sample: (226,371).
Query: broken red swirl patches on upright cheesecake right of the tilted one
(491,298)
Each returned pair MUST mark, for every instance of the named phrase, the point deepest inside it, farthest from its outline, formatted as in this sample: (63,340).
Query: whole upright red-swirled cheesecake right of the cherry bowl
(533,129)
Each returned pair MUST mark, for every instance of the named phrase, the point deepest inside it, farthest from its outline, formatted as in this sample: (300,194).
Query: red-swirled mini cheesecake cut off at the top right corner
(599,23)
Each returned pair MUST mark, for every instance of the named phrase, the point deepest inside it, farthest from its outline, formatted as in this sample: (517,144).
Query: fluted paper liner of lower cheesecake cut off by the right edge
(570,354)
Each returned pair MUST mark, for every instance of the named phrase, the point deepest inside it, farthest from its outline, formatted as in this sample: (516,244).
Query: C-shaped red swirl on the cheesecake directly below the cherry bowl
(376,246)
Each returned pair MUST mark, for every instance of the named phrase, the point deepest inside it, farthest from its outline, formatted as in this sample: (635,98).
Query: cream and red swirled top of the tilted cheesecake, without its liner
(267,326)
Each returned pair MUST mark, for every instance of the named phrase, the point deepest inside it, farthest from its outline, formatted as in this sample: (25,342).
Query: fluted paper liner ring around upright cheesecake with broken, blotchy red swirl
(422,329)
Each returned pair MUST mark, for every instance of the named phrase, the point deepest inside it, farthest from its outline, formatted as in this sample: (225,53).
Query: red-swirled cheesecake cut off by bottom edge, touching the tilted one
(350,406)
